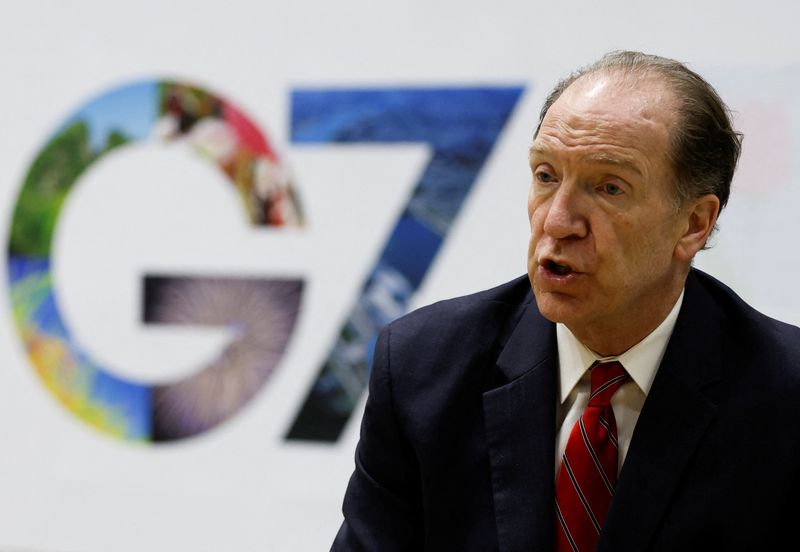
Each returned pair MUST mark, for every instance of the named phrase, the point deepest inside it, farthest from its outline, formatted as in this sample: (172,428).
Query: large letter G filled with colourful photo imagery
(262,312)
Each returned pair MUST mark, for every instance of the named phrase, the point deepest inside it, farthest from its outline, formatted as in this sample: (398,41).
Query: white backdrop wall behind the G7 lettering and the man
(65,487)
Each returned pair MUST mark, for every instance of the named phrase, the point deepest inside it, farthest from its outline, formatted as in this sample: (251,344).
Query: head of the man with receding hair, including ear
(630,169)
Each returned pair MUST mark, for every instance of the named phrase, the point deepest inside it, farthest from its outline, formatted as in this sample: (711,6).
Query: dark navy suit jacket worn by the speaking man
(457,441)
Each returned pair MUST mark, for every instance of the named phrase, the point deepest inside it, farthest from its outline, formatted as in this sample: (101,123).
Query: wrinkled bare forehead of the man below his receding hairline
(610,118)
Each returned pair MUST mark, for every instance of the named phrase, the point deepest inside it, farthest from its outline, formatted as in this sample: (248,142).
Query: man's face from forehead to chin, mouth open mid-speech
(604,222)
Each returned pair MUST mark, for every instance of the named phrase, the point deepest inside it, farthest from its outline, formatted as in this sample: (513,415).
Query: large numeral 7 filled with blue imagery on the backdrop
(460,126)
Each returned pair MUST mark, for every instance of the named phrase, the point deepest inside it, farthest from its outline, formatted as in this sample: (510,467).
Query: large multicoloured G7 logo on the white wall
(459,125)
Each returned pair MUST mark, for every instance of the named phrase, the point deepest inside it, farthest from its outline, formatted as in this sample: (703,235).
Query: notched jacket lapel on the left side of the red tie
(520,427)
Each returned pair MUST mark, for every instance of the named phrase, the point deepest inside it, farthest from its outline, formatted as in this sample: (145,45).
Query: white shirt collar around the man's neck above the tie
(640,361)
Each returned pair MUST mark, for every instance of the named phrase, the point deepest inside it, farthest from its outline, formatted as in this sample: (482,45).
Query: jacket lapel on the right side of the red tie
(672,423)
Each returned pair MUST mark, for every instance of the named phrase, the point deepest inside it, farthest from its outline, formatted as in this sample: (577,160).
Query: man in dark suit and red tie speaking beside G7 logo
(630,402)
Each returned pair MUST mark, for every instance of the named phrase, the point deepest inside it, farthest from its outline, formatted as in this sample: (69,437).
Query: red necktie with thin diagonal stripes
(588,472)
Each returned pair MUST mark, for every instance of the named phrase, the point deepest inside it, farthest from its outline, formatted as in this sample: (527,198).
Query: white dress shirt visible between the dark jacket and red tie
(640,361)
